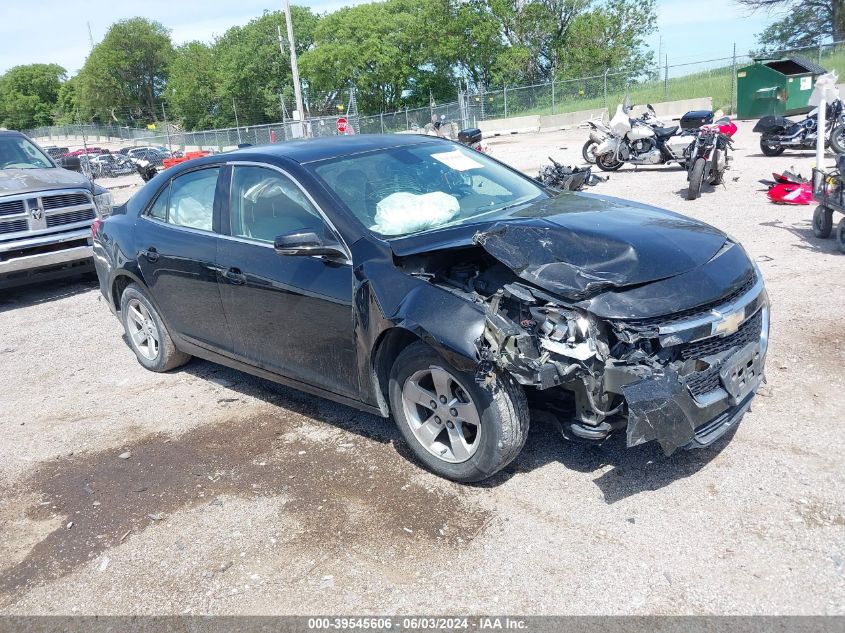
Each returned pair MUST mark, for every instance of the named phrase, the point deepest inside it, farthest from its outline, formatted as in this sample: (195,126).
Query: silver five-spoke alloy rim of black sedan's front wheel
(441,415)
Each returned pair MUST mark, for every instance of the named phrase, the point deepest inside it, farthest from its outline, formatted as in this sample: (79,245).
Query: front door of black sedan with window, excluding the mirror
(289,315)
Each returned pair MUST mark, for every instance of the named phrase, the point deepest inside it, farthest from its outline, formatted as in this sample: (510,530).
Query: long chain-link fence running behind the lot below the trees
(714,77)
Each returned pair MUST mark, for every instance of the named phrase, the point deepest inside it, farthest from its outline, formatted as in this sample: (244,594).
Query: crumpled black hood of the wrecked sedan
(579,247)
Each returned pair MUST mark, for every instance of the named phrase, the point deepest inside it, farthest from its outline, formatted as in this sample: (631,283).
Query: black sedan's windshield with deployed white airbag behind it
(406,190)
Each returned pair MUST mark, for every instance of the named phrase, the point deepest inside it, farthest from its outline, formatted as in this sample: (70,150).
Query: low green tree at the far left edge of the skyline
(28,95)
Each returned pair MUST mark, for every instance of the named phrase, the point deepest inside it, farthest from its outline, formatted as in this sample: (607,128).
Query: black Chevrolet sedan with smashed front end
(411,276)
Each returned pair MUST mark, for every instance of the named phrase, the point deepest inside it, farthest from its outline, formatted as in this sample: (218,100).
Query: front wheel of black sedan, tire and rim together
(491,420)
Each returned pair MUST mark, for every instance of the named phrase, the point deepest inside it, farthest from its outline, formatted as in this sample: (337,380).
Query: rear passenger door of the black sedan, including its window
(178,241)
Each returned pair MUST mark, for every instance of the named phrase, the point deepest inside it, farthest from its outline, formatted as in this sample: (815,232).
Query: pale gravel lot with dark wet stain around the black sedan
(240,496)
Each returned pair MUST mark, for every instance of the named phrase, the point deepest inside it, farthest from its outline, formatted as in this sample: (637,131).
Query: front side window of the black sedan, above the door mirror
(266,204)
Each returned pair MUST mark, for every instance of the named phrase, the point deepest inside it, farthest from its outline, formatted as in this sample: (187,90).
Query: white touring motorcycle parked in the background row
(642,141)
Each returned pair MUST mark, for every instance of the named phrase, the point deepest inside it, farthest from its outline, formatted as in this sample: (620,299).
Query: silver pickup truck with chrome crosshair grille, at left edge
(46,214)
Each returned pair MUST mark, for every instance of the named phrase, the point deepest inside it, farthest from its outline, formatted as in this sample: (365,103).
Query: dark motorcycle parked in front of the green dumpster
(779,133)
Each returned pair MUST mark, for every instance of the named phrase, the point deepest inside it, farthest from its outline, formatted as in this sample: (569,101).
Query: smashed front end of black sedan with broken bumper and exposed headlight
(682,382)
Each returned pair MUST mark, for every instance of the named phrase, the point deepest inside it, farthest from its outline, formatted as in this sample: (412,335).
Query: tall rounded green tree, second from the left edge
(124,76)
